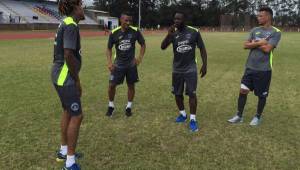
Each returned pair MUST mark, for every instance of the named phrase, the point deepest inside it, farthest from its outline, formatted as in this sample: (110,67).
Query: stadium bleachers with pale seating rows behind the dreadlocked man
(14,11)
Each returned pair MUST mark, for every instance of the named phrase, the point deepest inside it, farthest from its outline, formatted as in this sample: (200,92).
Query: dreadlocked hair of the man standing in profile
(66,7)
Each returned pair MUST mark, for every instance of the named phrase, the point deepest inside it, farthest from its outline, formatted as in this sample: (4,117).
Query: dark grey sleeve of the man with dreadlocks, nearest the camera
(70,37)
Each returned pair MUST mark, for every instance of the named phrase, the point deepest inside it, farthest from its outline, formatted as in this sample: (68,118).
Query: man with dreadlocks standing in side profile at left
(65,77)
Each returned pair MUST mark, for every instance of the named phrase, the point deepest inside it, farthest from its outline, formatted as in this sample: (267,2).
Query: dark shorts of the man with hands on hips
(118,74)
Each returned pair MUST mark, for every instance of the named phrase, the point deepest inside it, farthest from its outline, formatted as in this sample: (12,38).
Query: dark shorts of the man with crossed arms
(257,81)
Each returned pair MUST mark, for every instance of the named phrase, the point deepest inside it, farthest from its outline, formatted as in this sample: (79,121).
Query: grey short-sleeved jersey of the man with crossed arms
(257,59)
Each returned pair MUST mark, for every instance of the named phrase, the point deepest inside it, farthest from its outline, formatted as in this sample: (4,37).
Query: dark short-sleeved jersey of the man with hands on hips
(125,45)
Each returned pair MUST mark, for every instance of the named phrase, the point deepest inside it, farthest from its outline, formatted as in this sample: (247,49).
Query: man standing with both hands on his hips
(125,63)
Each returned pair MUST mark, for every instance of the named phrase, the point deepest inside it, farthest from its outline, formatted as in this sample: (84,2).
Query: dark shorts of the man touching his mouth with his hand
(190,81)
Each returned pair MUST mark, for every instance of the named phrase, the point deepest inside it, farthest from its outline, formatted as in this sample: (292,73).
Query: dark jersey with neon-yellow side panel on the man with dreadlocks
(67,37)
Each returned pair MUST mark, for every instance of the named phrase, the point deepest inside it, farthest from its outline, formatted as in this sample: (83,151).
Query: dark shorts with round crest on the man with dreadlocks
(70,99)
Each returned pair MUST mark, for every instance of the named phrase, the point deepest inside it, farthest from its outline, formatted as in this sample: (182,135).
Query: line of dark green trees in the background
(201,12)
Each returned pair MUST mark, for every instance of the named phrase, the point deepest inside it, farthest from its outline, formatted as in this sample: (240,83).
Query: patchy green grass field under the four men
(30,111)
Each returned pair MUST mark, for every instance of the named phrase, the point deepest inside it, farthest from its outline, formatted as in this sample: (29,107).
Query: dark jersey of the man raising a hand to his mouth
(184,45)
